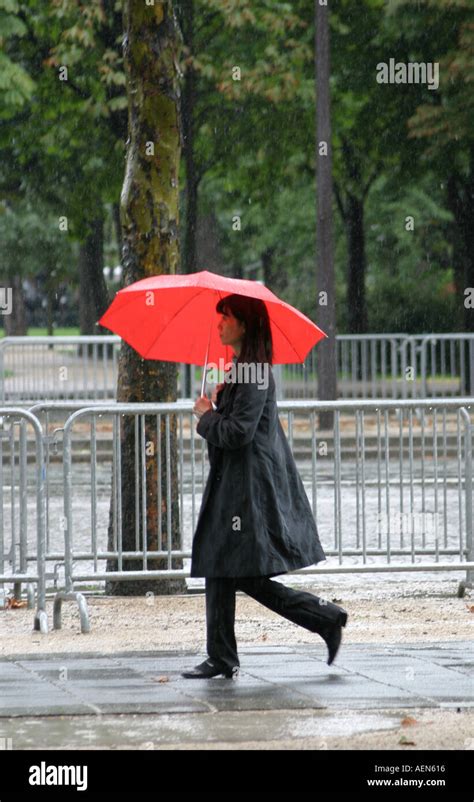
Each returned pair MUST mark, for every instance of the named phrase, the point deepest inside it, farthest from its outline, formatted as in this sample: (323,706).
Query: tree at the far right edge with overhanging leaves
(444,123)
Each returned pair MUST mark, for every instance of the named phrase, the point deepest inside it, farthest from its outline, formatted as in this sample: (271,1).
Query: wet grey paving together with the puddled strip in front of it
(139,698)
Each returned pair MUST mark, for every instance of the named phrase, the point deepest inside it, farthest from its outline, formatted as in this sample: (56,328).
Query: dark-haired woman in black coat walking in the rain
(255,520)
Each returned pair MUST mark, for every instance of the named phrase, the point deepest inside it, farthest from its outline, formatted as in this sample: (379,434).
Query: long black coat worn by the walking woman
(255,517)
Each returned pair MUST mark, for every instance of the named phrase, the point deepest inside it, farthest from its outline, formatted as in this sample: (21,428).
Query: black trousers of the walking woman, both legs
(302,608)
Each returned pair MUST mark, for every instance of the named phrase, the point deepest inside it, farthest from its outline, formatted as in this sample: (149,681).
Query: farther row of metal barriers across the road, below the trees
(368,365)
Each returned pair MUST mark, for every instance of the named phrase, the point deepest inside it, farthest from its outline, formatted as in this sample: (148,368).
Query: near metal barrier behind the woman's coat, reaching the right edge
(390,485)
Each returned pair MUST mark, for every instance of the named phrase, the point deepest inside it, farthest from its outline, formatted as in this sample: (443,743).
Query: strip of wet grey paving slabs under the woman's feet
(365,676)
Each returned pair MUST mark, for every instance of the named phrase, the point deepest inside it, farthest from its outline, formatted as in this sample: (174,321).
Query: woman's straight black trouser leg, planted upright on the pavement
(220,620)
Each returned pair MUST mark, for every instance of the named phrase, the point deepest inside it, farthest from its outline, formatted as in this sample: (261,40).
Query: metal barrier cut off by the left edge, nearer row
(15,543)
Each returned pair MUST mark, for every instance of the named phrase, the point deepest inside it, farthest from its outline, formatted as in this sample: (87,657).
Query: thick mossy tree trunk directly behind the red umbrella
(149,217)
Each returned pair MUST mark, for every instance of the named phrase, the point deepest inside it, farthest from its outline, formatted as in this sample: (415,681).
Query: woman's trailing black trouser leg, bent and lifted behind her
(305,609)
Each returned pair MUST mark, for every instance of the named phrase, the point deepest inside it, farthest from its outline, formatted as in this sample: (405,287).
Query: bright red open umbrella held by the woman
(173,318)
